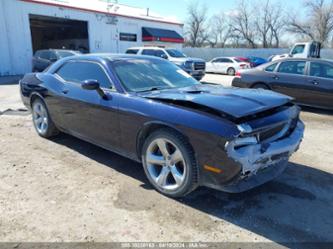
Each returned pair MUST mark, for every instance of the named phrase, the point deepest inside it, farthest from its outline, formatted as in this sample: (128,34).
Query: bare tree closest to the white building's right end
(196,25)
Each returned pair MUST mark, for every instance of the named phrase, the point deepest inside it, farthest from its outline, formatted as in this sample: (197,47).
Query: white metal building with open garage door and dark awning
(88,25)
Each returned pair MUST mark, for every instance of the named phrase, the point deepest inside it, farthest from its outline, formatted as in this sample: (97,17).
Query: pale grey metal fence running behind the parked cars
(210,53)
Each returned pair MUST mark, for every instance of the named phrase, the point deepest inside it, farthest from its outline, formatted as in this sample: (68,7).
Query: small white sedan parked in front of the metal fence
(226,65)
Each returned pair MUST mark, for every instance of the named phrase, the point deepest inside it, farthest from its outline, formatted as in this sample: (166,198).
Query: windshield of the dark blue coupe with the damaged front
(138,75)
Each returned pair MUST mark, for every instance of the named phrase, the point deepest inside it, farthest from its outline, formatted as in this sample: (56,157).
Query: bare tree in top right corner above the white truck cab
(319,24)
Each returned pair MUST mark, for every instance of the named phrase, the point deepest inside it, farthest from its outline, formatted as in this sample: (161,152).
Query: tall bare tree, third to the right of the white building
(243,23)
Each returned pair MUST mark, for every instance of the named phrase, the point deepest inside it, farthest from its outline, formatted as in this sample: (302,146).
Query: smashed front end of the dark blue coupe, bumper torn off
(263,148)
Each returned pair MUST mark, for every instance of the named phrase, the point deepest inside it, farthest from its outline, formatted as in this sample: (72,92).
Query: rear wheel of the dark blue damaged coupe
(42,121)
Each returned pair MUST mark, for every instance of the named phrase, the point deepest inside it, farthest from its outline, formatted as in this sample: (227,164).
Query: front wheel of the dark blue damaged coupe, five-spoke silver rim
(169,163)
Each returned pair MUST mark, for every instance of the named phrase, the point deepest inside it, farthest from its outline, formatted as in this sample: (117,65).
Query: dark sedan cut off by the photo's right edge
(309,81)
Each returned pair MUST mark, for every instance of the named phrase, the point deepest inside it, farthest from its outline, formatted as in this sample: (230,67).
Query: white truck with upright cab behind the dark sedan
(301,50)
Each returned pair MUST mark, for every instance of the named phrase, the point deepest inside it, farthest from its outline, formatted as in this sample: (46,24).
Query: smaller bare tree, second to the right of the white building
(220,30)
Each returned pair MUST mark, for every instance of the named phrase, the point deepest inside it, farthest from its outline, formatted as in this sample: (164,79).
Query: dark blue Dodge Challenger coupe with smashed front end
(186,134)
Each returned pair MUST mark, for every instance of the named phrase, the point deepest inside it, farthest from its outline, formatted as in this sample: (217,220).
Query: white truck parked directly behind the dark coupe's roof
(193,66)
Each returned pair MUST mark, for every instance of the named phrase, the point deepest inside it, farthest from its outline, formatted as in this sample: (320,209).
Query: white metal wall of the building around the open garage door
(15,39)
